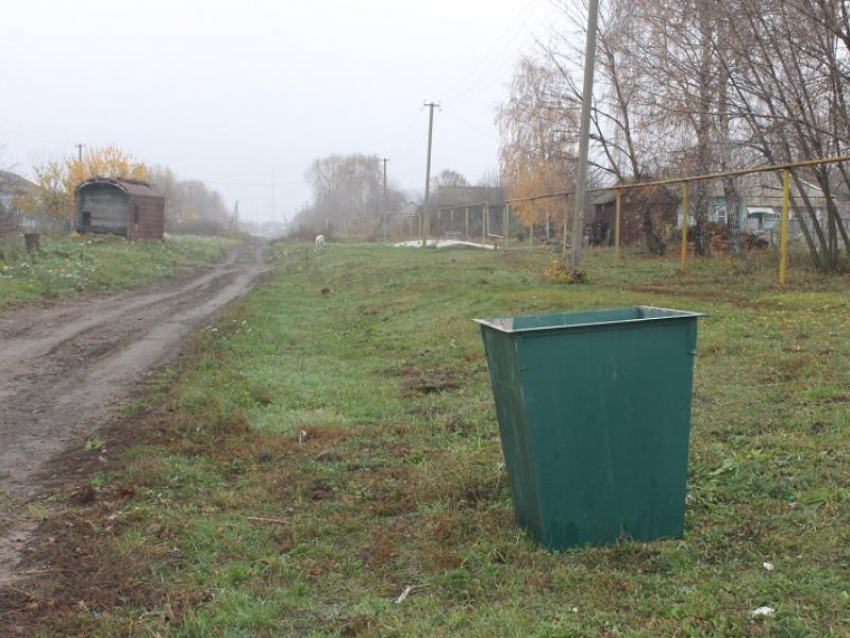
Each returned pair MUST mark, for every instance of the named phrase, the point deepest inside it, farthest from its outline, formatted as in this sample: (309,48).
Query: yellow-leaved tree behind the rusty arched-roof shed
(57,180)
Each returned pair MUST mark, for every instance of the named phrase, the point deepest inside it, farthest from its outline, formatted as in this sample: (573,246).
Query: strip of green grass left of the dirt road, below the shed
(66,266)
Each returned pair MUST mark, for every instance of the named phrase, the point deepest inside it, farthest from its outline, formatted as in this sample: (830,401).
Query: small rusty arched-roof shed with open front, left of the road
(126,207)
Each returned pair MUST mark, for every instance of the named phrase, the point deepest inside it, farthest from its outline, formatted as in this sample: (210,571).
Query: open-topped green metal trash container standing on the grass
(594,414)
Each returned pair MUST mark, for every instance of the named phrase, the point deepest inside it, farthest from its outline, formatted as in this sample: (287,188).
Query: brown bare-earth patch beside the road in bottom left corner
(69,566)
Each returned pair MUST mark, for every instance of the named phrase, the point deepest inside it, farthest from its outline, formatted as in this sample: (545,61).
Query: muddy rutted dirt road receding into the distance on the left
(64,369)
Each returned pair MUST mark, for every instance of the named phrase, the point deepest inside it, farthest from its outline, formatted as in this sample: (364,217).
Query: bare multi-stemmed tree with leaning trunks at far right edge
(790,86)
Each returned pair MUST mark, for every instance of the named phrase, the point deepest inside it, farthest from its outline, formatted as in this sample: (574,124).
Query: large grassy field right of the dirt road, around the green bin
(332,442)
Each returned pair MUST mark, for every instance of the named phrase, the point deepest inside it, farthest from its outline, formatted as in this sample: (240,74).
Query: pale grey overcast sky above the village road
(234,93)
